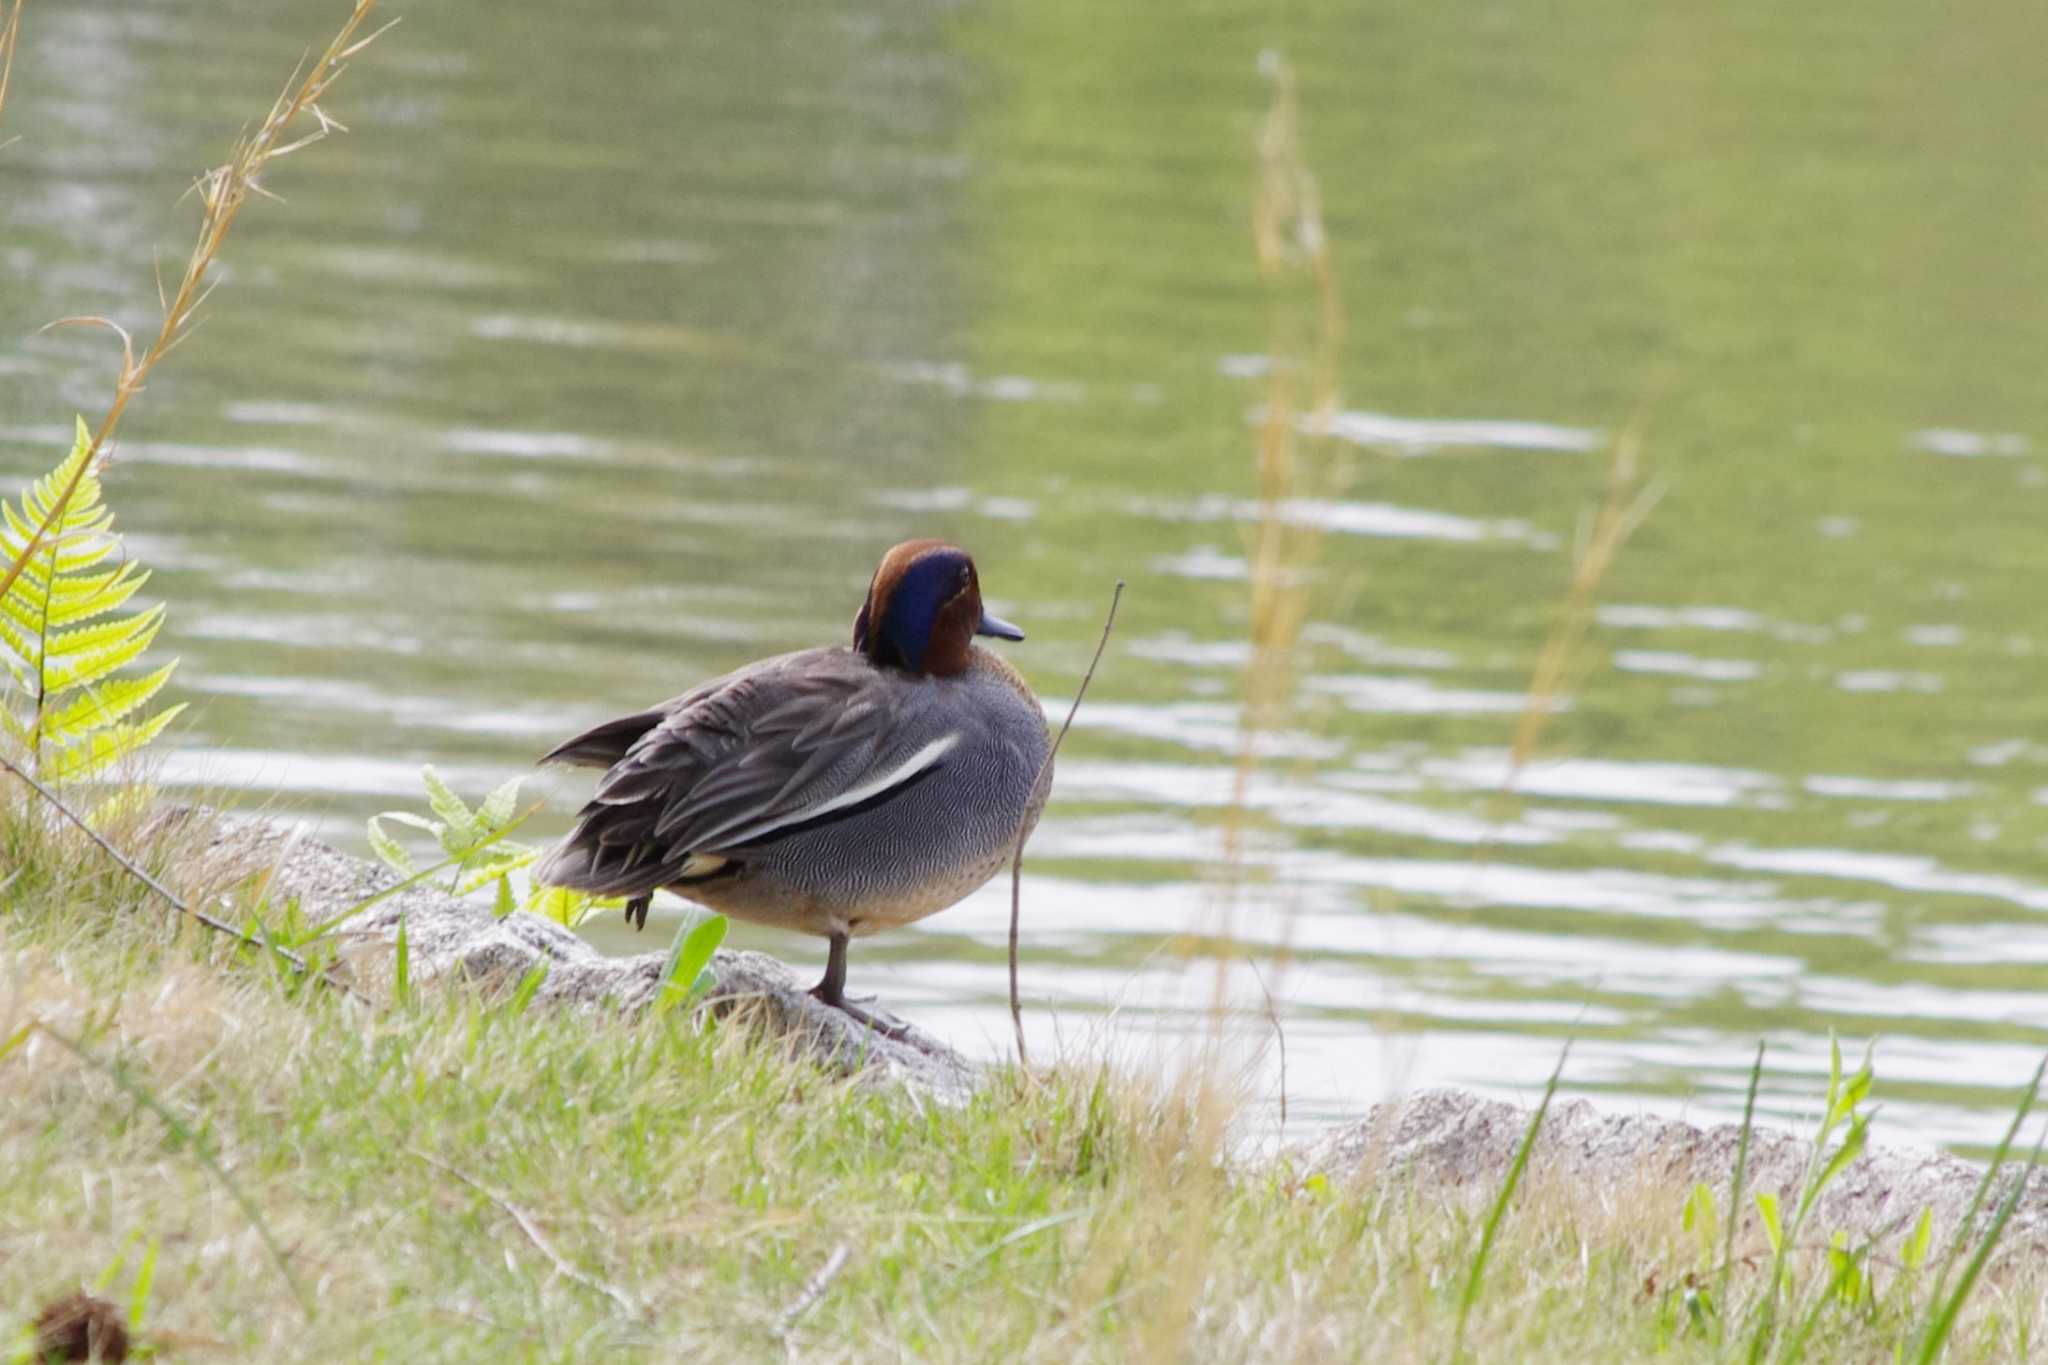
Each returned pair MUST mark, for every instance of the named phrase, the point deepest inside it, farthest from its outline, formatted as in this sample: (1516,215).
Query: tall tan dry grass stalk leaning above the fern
(222,193)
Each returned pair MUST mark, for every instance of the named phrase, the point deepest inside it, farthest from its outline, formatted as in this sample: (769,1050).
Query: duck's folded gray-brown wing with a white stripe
(738,768)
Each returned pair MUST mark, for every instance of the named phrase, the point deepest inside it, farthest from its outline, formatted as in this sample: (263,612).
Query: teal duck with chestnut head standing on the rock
(835,791)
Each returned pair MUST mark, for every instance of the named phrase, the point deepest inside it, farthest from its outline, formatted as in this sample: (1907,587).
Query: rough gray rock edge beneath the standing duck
(462,938)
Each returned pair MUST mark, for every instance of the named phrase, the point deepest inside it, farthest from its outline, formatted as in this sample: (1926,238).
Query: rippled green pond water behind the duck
(615,343)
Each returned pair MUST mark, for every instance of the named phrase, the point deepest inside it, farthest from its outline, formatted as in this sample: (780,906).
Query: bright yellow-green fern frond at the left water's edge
(65,635)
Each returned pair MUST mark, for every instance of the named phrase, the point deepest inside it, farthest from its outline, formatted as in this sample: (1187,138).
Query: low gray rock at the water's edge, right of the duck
(1459,1141)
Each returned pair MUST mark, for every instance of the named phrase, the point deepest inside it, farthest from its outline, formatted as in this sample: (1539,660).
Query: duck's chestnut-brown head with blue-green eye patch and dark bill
(925,611)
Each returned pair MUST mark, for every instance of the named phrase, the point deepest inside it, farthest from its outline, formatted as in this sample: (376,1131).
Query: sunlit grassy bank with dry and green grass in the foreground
(710,1180)
